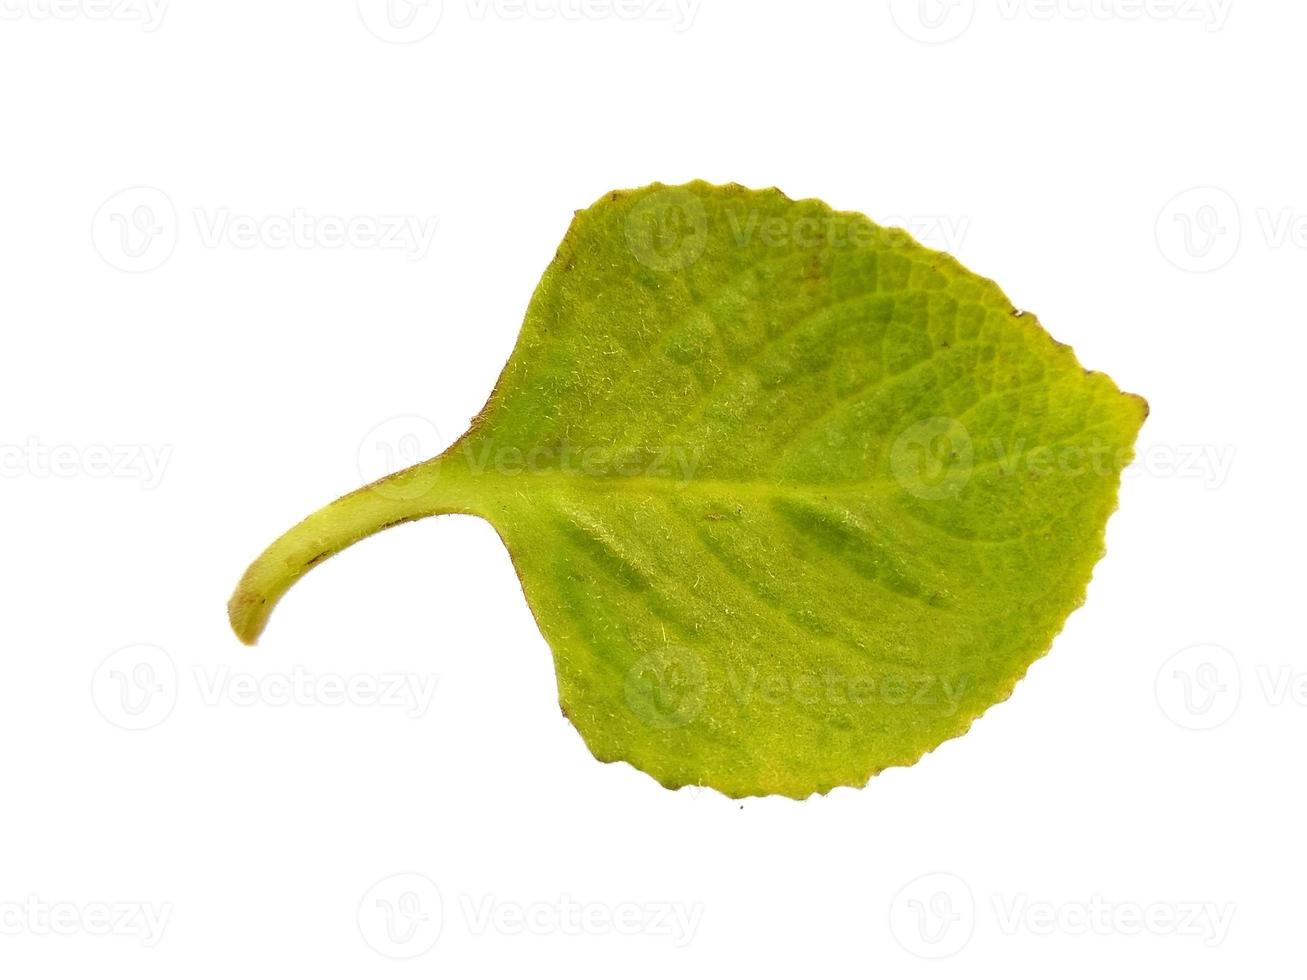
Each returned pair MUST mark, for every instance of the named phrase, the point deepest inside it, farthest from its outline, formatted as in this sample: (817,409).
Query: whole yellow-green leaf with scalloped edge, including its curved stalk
(793,498)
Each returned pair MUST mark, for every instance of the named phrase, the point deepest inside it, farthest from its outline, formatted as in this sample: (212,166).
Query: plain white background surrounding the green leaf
(1135,808)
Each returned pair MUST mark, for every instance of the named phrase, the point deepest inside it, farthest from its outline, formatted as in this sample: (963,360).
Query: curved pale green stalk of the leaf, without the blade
(420,492)
